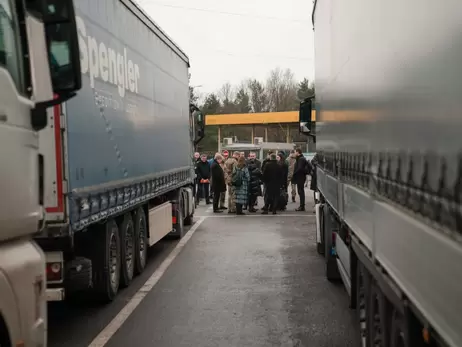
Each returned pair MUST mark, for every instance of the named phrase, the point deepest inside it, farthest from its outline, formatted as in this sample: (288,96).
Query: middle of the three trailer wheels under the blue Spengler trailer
(127,250)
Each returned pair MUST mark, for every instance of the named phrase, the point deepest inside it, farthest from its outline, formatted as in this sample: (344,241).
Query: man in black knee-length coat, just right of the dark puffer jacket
(273,177)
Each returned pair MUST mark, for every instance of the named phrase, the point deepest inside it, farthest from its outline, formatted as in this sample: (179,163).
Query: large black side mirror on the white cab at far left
(63,48)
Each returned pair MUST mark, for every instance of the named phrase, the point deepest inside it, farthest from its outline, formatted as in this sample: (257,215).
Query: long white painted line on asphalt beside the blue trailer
(105,335)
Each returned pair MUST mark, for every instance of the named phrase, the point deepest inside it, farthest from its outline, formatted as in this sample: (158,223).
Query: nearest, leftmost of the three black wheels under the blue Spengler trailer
(106,261)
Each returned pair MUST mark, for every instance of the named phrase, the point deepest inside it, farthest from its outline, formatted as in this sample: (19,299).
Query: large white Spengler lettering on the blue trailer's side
(100,61)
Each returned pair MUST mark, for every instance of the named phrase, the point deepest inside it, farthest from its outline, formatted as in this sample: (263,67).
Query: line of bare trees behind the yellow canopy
(280,92)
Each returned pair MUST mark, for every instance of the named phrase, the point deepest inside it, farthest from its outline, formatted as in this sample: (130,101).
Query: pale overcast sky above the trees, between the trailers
(232,40)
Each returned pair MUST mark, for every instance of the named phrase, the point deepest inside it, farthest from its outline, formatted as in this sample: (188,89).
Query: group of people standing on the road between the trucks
(243,179)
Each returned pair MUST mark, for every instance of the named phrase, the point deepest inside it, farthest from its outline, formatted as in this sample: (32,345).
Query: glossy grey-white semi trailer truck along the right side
(389,171)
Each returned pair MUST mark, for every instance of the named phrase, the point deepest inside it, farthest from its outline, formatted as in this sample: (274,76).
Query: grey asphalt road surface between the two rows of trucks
(238,281)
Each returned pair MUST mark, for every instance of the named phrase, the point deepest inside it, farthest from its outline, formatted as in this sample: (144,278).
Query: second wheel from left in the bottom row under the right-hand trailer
(378,316)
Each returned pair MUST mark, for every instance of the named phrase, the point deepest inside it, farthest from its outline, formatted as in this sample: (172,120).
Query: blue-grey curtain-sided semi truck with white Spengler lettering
(117,159)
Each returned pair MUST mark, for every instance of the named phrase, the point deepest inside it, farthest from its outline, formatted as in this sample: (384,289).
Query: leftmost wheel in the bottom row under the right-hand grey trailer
(363,289)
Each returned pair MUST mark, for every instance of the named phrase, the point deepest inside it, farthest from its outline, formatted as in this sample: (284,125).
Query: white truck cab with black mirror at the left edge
(30,33)
